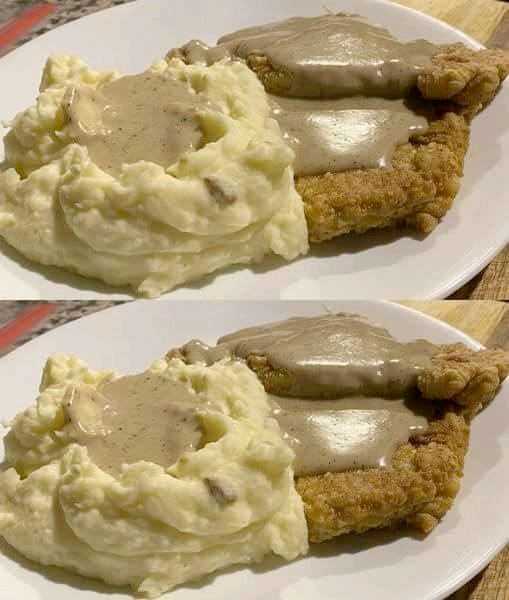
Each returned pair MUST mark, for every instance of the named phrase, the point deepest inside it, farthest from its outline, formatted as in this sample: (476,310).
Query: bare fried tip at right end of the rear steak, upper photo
(466,77)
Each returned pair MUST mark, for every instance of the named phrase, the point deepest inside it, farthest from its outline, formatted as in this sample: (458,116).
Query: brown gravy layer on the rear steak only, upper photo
(333,56)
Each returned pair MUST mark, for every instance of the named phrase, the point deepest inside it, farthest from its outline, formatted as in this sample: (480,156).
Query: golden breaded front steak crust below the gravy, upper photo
(417,191)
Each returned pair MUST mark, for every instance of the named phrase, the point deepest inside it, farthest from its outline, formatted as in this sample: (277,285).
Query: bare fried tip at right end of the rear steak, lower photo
(468,378)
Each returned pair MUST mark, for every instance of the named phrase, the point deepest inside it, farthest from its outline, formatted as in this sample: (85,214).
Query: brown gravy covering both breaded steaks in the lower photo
(368,377)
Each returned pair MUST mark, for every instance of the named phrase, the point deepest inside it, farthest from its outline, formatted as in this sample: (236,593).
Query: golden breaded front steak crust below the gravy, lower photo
(418,489)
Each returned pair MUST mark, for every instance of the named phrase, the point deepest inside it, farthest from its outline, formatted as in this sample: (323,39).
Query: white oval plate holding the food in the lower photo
(378,565)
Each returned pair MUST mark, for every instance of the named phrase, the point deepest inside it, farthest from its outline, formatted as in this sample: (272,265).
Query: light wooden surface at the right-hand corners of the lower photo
(488,322)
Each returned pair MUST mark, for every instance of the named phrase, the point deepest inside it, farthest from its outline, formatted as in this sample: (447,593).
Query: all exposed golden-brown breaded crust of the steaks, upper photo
(425,176)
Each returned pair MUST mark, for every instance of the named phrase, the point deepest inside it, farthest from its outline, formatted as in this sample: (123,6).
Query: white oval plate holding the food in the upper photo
(381,264)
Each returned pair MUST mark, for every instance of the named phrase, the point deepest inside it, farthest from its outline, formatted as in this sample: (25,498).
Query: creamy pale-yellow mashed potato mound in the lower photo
(148,525)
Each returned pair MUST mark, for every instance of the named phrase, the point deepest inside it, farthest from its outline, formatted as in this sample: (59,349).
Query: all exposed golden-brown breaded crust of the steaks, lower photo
(425,474)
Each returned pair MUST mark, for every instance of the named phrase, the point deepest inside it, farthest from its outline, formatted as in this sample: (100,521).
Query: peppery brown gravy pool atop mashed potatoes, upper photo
(150,116)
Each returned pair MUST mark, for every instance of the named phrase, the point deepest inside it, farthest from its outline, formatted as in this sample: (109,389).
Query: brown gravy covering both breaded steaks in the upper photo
(344,106)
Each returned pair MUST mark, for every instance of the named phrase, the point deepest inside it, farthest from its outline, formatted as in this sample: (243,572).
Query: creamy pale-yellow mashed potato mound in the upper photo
(147,225)
